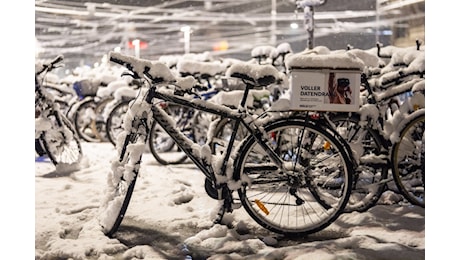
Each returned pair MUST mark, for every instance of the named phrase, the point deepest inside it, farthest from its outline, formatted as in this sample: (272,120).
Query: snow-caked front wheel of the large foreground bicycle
(116,202)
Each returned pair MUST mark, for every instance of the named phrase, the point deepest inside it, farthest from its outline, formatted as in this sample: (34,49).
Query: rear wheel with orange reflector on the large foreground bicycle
(322,195)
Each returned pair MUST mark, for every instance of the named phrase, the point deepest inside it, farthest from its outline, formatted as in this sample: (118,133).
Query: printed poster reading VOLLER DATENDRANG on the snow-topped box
(325,90)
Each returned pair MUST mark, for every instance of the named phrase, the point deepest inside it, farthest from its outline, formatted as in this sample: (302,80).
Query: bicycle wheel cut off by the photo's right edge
(408,160)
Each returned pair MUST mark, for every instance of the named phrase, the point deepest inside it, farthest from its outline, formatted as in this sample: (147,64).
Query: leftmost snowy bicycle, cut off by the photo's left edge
(54,134)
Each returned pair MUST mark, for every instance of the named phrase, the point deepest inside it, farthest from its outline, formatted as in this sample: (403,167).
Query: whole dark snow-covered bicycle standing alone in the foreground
(292,173)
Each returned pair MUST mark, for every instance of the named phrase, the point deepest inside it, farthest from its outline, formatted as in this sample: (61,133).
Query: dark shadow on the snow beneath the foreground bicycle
(170,243)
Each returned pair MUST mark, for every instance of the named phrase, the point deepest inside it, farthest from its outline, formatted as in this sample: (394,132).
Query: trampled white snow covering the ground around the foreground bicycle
(170,217)
